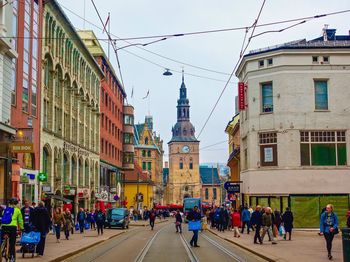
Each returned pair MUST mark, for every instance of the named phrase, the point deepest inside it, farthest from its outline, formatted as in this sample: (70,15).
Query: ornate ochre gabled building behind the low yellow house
(149,155)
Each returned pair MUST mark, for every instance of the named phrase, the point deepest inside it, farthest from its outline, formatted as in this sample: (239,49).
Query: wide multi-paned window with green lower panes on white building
(323,148)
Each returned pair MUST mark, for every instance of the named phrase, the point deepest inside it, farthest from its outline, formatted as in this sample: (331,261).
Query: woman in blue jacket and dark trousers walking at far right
(329,227)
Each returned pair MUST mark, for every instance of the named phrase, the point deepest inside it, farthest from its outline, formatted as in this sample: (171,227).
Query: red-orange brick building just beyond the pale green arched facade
(111,122)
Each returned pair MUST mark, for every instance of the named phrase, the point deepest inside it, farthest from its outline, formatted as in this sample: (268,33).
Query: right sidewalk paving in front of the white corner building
(305,246)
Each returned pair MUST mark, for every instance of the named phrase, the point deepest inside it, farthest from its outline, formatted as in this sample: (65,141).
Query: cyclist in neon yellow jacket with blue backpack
(11,220)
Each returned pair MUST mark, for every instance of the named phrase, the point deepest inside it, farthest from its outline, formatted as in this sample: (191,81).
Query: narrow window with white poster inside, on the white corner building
(268,149)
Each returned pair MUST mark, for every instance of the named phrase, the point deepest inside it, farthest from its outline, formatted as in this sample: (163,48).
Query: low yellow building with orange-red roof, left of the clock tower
(138,188)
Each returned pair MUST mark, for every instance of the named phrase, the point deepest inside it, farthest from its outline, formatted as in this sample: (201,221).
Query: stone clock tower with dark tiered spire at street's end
(184,178)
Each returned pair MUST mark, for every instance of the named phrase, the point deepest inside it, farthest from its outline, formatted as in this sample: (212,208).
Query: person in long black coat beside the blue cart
(41,223)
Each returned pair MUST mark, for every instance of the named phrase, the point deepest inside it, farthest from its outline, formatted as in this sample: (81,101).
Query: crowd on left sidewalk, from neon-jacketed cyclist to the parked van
(38,218)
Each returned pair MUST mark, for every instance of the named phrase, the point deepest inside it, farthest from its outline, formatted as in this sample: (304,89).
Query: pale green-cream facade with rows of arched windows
(70,97)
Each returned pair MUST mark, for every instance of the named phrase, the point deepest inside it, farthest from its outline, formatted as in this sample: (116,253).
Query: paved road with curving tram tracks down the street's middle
(163,244)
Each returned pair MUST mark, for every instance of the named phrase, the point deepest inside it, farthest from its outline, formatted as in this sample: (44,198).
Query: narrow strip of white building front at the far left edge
(8,57)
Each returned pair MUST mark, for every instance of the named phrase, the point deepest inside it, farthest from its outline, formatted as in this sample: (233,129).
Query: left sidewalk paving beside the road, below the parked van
(76,243)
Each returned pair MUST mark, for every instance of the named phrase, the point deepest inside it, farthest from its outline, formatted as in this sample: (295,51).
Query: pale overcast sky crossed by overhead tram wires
(216,51)
